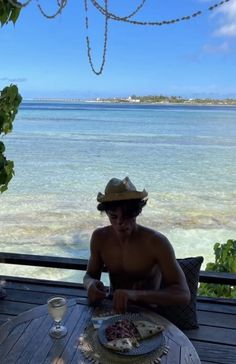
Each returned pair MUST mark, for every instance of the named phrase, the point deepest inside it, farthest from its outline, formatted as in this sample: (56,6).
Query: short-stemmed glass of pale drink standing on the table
(57,308)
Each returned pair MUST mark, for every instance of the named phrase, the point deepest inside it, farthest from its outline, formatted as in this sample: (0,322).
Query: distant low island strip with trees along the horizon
(150,99)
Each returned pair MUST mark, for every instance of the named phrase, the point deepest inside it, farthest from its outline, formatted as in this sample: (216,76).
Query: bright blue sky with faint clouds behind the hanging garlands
(195,58)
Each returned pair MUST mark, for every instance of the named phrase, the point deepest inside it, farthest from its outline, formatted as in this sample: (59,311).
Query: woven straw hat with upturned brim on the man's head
(117,190)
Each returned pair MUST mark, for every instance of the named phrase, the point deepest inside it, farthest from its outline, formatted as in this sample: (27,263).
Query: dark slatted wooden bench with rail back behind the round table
(214,340)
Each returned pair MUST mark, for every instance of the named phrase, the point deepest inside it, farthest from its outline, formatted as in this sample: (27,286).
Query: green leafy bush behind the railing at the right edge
(225,261)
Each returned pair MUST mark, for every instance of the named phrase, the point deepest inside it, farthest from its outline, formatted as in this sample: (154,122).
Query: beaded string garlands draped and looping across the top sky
(111,16)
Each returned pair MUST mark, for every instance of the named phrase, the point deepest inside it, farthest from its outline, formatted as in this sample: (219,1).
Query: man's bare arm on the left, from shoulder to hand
(91,280)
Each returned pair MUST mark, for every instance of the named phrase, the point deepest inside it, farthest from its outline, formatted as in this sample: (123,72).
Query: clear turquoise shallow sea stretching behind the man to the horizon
(65,153)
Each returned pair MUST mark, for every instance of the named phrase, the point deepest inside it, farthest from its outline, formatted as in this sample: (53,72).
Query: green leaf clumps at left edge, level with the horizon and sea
(10,100)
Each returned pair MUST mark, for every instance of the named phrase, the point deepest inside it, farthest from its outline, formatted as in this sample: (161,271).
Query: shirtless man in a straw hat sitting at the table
(136,257)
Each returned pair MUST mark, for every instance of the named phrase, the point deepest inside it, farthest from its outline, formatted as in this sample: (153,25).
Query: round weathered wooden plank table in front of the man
(25,339)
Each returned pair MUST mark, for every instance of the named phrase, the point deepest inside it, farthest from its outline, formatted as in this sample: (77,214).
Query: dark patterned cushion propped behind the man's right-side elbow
(185,316)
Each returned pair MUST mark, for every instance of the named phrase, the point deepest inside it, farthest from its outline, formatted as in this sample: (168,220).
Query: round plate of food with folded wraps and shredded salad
(131,334)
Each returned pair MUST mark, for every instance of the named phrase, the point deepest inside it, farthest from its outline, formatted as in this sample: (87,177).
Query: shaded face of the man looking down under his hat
(122,224)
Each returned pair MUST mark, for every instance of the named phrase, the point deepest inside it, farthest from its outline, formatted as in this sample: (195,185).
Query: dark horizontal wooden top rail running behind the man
(81,264)
